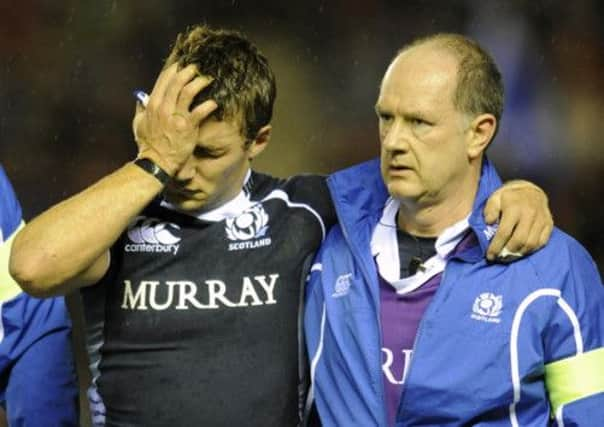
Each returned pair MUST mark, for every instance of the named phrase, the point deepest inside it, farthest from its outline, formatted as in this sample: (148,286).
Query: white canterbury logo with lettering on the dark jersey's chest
(152,235)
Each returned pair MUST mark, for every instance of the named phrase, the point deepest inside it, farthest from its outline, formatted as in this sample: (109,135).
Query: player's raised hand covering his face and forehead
(166,130)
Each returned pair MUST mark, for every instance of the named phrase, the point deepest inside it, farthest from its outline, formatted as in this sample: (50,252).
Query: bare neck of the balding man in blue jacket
(431,215)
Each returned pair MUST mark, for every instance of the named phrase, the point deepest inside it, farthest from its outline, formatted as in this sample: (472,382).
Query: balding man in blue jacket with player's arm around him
(407,323)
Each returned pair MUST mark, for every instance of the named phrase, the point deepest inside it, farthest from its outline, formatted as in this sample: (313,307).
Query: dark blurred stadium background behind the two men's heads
(68,69)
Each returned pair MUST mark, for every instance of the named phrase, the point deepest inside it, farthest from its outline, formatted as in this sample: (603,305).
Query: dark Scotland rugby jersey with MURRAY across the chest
(196,323)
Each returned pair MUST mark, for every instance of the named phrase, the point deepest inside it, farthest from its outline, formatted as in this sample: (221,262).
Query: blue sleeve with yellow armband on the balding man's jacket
(574,344)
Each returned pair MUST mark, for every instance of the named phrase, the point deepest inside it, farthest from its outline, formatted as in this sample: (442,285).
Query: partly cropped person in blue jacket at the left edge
(38,384)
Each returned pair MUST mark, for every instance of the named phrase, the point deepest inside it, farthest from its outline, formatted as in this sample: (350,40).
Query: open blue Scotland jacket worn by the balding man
(534,356)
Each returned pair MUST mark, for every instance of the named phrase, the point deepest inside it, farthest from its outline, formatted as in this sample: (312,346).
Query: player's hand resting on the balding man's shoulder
(525,221)
